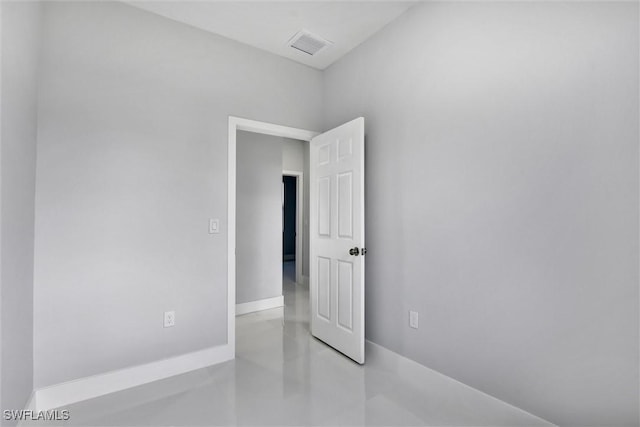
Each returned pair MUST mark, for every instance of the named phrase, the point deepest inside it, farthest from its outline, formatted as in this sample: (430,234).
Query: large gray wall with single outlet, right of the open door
(502,198)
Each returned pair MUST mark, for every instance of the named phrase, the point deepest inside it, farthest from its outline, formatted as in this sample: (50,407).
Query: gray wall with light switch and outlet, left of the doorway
(132,153)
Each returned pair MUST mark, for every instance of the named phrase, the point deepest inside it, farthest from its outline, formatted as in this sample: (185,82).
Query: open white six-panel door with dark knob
(336,270)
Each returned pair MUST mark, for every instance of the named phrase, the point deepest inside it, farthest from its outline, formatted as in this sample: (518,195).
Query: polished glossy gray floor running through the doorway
(283,376)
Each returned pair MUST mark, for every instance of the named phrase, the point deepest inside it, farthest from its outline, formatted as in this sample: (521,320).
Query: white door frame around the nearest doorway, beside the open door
(236,124)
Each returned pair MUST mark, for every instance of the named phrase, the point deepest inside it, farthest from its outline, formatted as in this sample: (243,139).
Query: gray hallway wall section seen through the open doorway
(258,216)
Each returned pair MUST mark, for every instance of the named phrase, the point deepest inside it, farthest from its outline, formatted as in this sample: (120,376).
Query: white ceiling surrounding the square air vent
(269,25)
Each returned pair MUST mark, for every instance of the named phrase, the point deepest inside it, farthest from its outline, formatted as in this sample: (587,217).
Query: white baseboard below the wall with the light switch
(81,389)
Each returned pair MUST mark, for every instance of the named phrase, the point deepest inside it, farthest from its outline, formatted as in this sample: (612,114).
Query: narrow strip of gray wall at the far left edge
(20,50)
